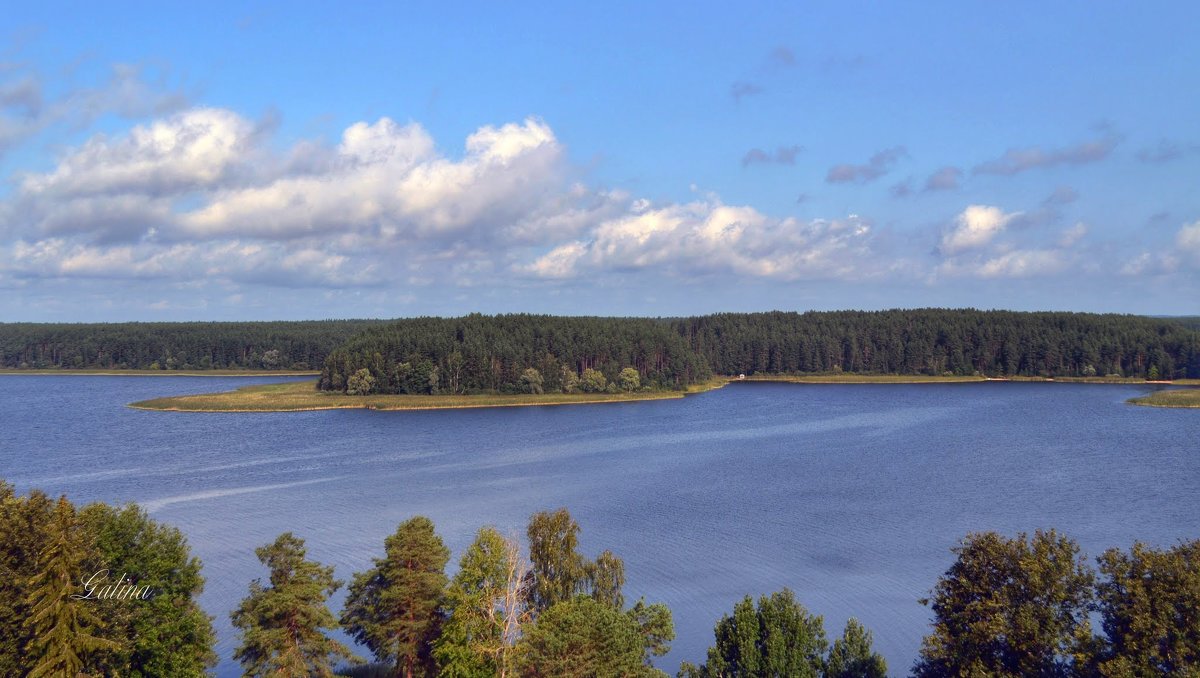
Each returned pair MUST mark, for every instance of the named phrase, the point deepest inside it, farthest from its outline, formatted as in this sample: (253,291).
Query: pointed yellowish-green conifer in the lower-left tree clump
(64,627)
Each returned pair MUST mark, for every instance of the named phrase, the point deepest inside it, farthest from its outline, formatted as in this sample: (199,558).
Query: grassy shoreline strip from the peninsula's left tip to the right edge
(303,397)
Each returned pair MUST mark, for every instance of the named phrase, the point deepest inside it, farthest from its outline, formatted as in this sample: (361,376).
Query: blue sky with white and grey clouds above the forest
(304,160)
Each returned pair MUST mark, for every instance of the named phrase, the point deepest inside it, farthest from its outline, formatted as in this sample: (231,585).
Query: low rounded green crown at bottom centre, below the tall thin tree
(585,639)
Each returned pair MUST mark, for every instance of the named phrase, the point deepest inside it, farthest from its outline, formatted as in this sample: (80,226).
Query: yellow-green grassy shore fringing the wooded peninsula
(299,397)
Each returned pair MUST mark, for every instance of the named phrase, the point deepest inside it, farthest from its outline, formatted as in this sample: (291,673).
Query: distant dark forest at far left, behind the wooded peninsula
(301,345)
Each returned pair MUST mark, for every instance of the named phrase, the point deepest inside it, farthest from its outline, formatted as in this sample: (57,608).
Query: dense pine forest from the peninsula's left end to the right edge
(508,353)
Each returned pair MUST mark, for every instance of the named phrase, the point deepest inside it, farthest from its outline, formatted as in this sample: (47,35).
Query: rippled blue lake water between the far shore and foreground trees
(850,495)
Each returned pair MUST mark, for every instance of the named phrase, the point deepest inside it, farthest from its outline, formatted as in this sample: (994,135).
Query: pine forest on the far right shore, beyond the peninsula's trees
(937,341)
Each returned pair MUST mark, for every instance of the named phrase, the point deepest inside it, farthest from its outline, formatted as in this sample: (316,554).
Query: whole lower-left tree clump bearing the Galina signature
(51,550)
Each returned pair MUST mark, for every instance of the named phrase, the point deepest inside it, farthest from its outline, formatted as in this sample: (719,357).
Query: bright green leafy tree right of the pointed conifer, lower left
(167,634)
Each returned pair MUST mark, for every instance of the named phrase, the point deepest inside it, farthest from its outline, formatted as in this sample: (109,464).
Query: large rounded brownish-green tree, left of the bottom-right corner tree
(1011,608)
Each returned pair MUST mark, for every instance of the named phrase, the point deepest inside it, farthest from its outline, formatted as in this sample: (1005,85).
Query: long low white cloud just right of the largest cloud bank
(707,237)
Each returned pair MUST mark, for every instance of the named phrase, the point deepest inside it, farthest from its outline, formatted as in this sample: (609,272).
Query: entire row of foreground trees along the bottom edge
(1006,608)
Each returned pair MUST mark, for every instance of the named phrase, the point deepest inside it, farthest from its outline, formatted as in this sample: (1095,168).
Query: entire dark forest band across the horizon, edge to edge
(526,353)
